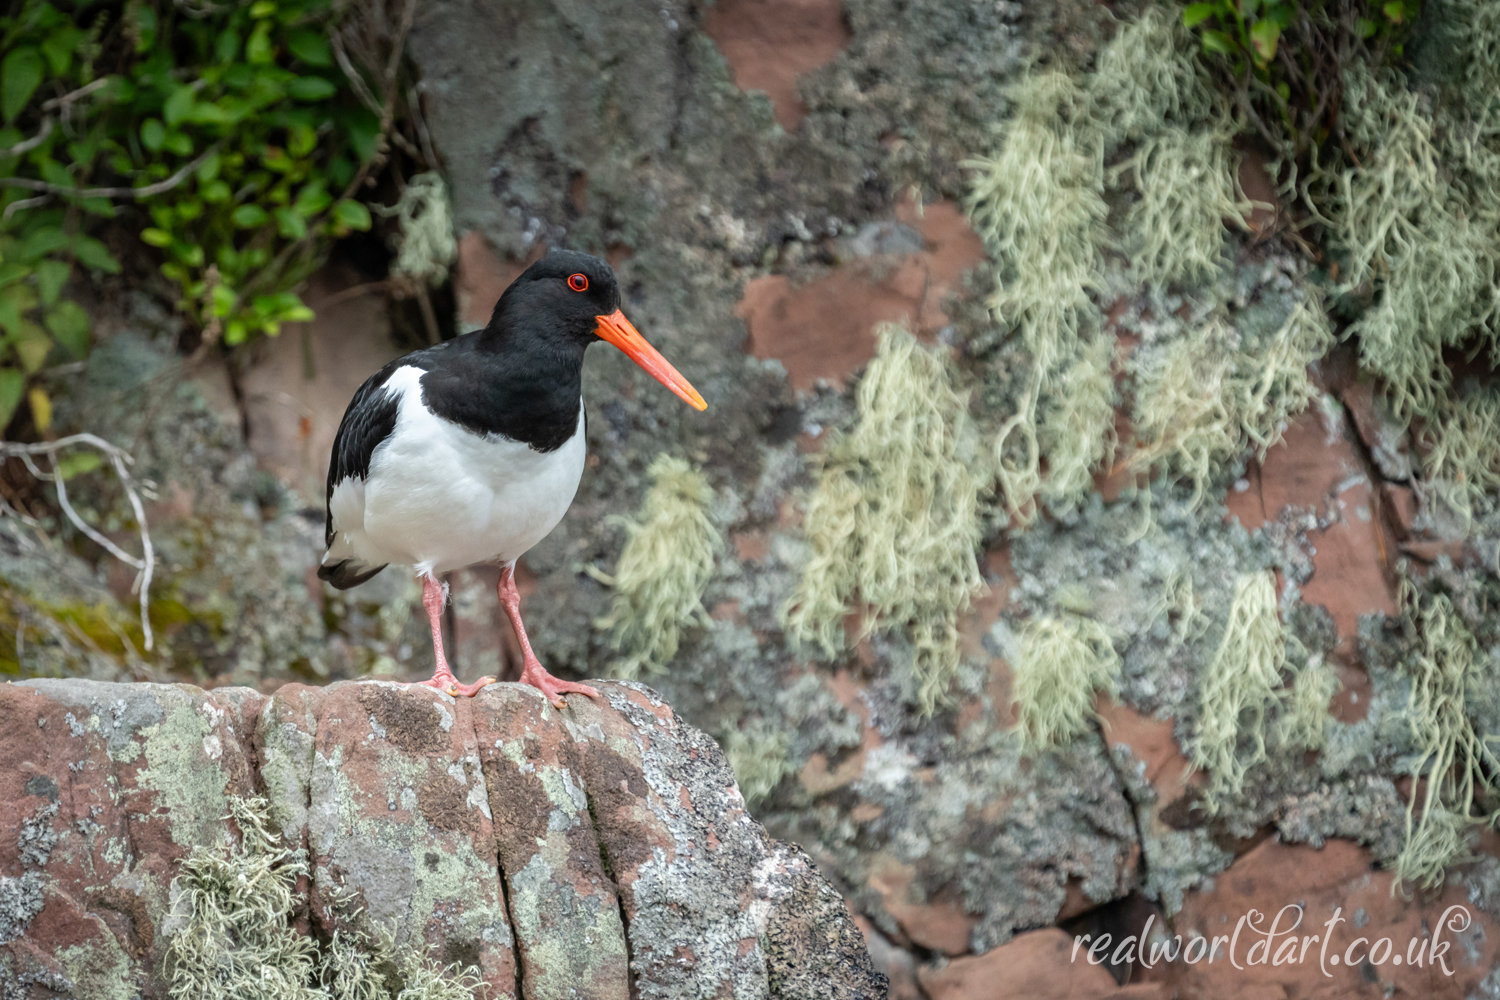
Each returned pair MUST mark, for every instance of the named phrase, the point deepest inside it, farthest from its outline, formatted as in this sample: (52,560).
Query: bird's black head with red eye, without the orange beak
(560,298)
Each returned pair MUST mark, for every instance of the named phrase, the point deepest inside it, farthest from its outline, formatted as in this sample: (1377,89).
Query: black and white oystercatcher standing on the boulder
(472,452)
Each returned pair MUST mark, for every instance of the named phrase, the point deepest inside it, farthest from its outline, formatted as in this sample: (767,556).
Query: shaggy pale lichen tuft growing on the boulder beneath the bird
(232,938)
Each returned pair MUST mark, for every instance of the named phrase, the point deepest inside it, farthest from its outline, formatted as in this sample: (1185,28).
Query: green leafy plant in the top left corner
(232,139)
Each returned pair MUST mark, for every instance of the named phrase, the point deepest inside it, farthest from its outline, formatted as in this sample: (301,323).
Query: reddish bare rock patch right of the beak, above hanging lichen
(824,331)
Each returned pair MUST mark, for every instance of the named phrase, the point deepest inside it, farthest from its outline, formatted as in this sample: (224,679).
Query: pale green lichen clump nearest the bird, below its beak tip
(664,569)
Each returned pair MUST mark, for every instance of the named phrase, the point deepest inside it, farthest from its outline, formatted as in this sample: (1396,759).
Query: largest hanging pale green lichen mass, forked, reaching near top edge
(1040,208)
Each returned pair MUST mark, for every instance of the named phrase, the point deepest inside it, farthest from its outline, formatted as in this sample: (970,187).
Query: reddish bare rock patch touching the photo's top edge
(770,44)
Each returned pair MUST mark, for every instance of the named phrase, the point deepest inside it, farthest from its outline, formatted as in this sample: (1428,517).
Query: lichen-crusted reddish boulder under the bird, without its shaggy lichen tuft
(596,852)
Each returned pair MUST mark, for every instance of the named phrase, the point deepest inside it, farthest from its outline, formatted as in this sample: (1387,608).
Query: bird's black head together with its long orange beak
(563,304)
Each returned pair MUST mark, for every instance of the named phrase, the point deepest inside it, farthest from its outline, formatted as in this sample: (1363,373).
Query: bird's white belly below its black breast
(442,499)
